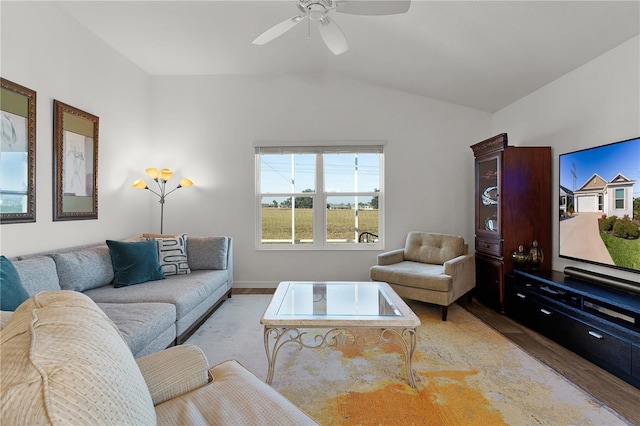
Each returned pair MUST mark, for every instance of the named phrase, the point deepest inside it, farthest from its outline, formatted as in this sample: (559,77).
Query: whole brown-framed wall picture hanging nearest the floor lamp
(75,163)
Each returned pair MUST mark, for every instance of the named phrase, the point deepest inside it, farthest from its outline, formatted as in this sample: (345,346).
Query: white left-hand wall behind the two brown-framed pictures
(46,51)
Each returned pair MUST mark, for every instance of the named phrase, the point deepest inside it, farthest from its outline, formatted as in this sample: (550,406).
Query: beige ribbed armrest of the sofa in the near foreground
(174,371)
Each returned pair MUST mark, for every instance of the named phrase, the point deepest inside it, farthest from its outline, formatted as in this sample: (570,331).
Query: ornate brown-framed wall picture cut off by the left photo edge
(17,153)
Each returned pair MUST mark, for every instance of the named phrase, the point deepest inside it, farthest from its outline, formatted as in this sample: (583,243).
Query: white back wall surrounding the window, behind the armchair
(205,127)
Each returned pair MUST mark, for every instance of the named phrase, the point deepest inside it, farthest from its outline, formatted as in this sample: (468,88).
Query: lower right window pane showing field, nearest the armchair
(348,224)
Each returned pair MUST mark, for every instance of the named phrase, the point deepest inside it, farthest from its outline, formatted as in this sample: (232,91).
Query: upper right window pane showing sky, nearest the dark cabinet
(351,172)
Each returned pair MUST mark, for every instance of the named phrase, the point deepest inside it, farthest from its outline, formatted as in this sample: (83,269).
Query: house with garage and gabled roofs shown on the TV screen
(613,198)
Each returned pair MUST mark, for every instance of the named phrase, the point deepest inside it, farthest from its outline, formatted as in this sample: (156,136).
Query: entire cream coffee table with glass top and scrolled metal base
(334,314)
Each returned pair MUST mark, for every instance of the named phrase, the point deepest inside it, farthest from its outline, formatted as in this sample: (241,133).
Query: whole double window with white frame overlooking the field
(319,197)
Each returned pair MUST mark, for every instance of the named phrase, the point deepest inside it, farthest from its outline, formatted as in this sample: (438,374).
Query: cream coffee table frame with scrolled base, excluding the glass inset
(339,330)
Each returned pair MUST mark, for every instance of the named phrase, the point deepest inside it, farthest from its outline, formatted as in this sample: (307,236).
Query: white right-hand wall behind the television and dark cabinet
(596,104)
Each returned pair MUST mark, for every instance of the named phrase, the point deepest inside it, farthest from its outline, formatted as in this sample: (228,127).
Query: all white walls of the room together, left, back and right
(203,127)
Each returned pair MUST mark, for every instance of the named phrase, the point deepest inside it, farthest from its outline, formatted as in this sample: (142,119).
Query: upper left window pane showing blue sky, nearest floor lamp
(287,172)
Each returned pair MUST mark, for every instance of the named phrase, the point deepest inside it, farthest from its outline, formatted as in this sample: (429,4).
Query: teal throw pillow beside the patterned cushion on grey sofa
(134,262)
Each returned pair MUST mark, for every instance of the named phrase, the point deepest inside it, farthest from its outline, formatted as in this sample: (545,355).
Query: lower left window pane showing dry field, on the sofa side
(283,225)
